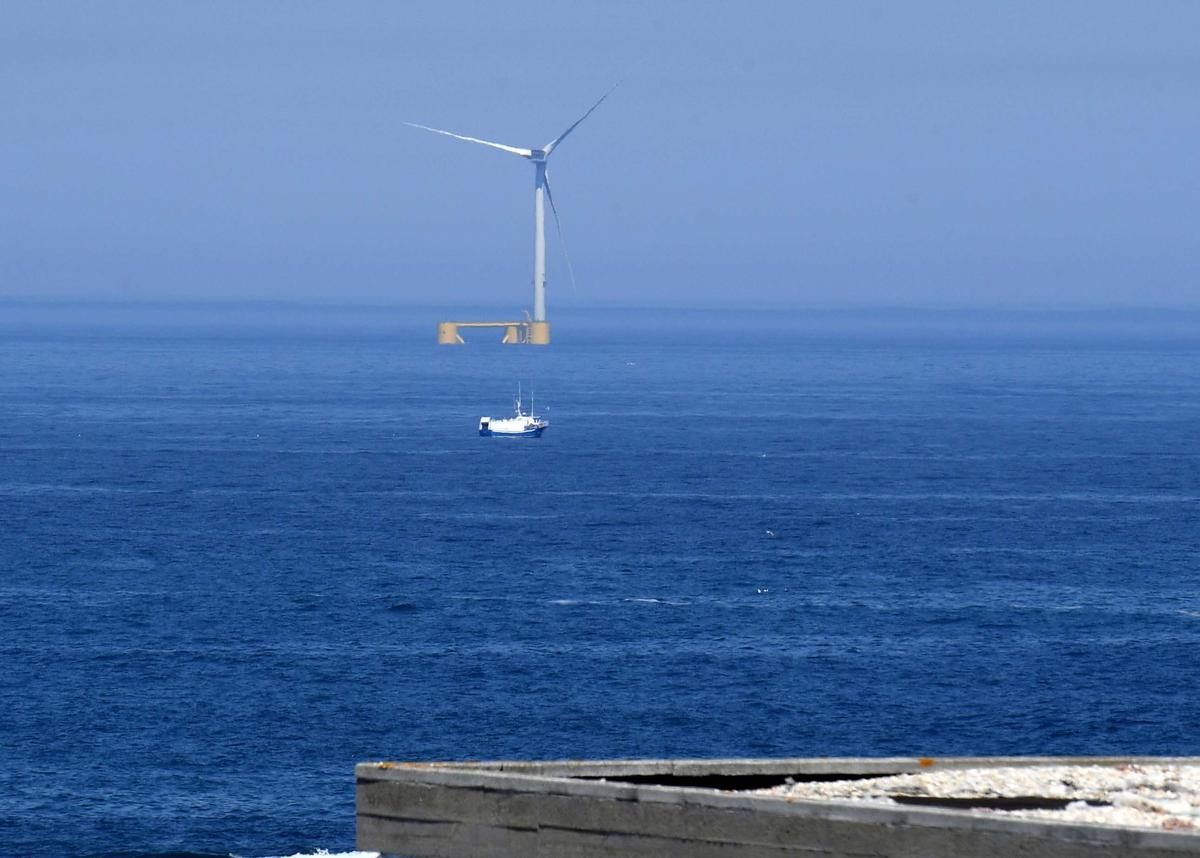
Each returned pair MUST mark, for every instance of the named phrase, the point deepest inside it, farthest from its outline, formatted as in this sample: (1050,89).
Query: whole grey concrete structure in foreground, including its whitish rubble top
(760,808)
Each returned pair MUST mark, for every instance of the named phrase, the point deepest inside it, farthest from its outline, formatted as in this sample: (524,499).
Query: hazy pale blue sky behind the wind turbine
(818,154)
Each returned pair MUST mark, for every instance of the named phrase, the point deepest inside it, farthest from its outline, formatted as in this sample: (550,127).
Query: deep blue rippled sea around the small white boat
(243,550)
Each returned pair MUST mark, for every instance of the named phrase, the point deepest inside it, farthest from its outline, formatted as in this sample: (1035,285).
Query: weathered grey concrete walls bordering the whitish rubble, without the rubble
(527,809)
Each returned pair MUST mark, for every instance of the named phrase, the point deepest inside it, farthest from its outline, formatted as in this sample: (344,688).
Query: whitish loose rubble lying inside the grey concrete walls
(1151,796)
